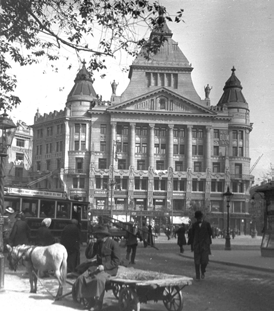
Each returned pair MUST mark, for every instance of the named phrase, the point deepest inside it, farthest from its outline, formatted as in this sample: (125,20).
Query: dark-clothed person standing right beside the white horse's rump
(70,238)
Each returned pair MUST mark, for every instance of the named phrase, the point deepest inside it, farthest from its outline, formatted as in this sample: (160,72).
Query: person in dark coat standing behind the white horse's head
(20,233)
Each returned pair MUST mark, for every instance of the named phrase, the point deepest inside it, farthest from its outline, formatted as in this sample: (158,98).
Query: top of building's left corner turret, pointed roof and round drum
(82,97)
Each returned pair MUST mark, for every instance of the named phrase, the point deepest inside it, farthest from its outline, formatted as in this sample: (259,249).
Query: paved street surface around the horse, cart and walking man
(225,288)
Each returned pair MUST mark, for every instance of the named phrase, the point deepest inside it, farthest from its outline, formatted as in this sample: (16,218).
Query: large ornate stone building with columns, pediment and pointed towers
(157,150)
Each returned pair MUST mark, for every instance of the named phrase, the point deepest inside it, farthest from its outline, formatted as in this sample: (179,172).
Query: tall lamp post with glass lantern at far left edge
(7,128)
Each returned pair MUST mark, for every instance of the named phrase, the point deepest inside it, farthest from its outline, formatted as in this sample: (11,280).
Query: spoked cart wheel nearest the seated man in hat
(128,300)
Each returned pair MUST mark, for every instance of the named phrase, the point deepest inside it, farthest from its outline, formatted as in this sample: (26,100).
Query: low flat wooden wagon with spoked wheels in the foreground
(133,286)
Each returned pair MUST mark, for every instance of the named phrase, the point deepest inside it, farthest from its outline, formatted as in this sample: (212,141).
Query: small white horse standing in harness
(39,259)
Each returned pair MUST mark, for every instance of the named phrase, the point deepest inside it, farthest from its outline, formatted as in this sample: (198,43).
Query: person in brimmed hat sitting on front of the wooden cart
(91,284)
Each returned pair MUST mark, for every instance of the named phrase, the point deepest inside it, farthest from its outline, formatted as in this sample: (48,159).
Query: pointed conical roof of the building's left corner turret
(83,86)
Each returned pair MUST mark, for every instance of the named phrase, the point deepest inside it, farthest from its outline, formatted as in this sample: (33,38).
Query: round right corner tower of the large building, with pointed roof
(239,130)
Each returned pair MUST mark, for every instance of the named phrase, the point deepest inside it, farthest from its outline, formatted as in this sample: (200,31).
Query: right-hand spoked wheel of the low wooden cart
(173,298)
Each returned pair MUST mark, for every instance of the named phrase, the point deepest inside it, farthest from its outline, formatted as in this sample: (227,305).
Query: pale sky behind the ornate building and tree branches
(215,36)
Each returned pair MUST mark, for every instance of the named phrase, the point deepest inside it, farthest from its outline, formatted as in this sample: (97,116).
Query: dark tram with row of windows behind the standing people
(38,204)
